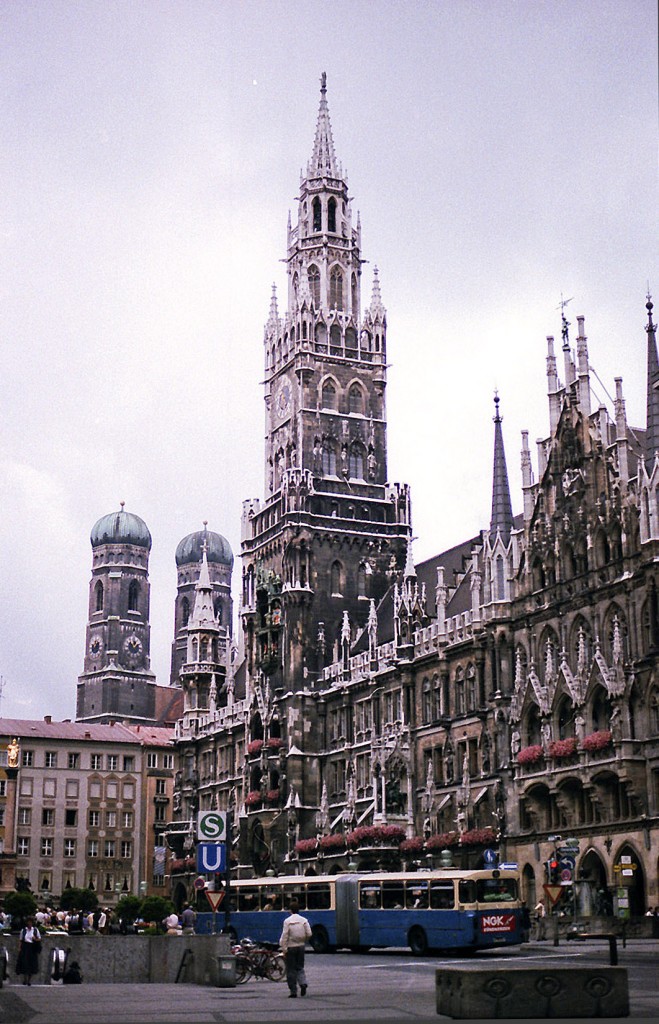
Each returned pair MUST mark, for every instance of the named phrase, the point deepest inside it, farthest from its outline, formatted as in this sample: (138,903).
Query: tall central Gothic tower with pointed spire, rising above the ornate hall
(332,533)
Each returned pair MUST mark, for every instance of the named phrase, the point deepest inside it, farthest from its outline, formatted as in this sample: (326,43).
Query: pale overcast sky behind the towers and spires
(501,155)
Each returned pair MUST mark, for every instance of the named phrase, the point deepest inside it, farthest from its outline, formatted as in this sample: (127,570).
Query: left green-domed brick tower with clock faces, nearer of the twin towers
(117,682)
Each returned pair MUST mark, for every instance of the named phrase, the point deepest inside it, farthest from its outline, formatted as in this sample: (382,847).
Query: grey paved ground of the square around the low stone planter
(390,986)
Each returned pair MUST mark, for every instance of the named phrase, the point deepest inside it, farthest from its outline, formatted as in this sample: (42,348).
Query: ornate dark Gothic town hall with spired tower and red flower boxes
(501,695)
